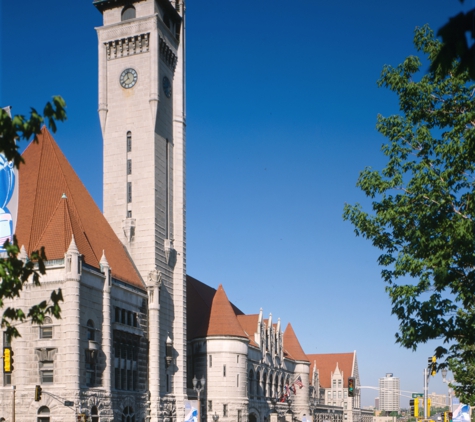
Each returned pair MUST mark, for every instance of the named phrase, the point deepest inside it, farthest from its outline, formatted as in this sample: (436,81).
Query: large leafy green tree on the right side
(423,209)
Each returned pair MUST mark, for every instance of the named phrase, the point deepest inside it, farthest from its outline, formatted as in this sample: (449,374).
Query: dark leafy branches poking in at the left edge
(14,272)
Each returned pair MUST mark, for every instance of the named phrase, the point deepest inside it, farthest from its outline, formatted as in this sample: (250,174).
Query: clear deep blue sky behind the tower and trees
(281,111)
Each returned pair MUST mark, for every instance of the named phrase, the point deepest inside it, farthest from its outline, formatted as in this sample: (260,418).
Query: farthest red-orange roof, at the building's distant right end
(326,363)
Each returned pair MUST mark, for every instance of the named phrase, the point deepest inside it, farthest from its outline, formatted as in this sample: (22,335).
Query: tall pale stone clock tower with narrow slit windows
(142,117)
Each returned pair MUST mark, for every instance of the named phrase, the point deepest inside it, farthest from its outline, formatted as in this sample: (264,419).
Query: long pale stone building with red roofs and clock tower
(134,329)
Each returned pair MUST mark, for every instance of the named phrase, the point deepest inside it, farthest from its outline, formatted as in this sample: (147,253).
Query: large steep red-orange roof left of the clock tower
(47,218)
